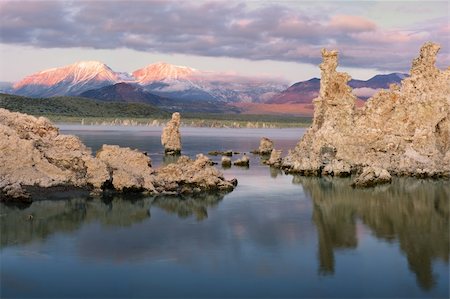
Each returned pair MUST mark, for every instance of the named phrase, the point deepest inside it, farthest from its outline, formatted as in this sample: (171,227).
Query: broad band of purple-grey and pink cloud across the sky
(218,29)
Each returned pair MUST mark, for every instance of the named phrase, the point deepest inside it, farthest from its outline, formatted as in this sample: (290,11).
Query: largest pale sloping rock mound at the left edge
(33,153)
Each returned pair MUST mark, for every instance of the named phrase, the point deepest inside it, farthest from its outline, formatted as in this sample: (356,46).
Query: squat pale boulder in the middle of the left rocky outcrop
(129,169)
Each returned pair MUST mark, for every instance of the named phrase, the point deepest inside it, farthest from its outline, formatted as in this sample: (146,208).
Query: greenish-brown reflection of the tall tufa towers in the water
(407,211)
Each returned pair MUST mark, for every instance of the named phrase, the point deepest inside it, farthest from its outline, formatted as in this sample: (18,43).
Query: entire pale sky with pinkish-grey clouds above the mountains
(280,39)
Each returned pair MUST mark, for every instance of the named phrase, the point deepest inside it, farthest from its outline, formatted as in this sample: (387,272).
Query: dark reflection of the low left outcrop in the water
(22,224)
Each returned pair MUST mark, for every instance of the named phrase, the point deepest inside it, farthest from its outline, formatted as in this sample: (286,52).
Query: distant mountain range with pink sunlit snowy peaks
(186,89)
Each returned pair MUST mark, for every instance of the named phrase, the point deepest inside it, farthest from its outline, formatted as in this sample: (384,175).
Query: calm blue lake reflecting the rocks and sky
(274,236)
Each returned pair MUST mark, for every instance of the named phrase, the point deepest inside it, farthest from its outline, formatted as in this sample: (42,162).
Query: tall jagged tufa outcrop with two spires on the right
(404,130)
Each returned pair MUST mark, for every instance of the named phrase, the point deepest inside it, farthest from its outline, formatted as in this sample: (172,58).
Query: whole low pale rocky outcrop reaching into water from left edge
(33,155)
